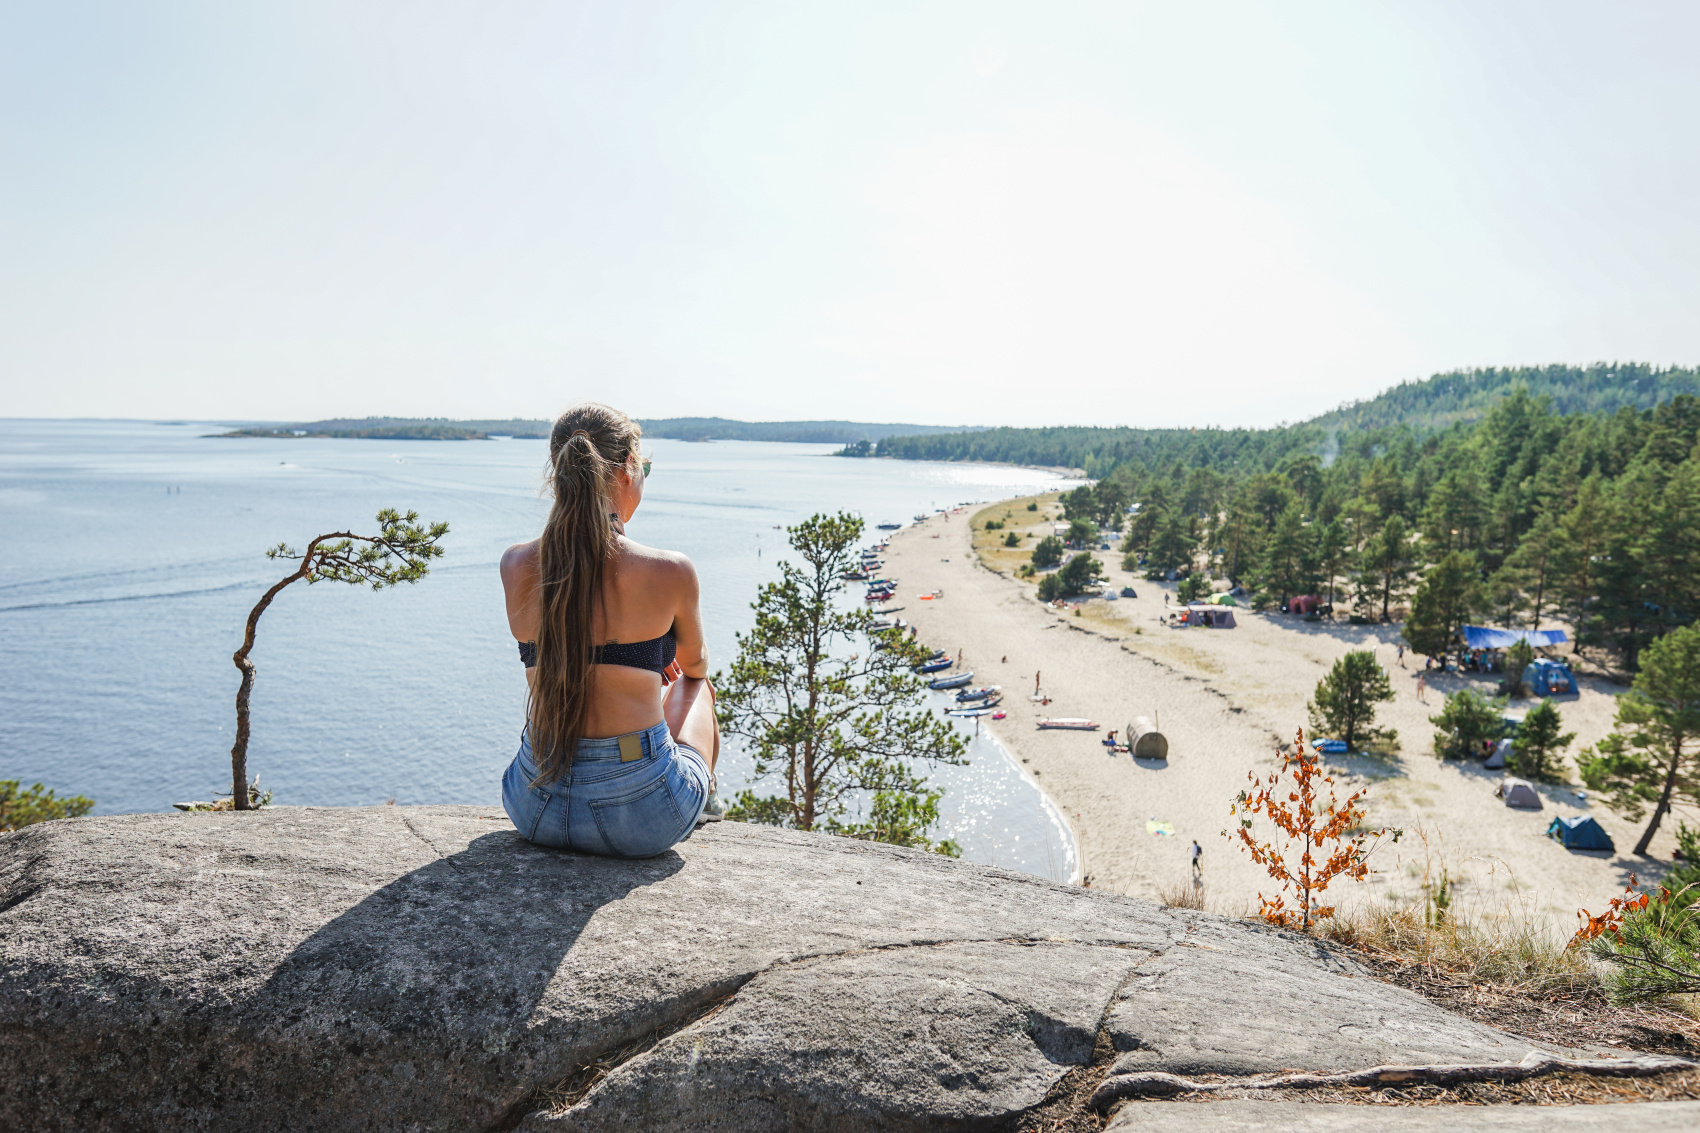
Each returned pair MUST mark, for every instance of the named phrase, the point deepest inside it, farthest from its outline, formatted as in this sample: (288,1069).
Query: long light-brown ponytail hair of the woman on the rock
(587,448)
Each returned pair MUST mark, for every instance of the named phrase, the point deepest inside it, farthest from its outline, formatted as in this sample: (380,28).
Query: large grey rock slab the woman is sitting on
(426,969)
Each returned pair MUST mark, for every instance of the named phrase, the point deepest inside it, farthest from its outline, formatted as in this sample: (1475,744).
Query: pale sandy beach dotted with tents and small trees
(1225,698)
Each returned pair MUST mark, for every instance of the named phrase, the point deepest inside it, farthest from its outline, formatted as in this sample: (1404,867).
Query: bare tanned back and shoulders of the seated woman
(645,593)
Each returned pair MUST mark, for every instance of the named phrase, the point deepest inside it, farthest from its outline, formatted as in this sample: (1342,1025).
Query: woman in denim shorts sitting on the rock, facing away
(620,744)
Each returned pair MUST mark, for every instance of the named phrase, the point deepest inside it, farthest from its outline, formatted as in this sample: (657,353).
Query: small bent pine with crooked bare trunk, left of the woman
(400,552)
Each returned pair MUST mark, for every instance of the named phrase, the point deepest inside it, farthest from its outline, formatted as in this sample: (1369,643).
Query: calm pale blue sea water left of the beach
(135,550)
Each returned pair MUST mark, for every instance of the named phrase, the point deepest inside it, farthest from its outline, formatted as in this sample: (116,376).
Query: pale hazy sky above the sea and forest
(1029,214)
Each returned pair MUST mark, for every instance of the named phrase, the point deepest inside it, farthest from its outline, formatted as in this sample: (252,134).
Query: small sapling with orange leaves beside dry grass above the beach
(1310,826)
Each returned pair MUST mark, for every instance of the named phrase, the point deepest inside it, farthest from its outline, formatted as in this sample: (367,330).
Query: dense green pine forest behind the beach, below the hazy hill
(1526,518)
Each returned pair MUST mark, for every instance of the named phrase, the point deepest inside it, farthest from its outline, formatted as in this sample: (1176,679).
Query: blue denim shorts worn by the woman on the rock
(621,804)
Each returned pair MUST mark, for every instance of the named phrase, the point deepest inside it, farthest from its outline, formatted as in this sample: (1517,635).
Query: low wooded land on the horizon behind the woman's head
(664,428)
